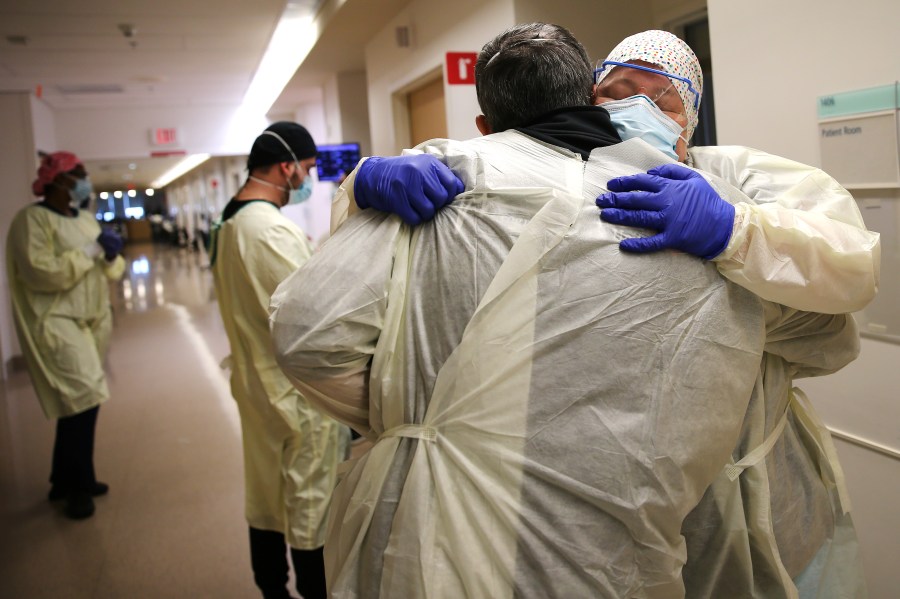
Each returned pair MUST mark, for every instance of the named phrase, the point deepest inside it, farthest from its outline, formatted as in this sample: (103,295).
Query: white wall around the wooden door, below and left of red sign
(435,29)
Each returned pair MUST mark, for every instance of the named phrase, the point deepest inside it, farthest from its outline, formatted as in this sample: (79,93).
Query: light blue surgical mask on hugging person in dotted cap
(638,116)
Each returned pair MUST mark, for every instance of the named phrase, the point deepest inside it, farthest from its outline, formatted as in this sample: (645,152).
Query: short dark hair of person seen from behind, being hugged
(529,70)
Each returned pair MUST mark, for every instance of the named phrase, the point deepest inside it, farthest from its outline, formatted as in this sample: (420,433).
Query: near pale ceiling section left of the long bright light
(182,51)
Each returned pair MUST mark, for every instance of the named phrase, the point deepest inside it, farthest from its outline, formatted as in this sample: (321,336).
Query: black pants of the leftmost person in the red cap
(73,452)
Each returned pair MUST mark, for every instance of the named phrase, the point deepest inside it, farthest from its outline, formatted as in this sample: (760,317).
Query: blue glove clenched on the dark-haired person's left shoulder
(413,187)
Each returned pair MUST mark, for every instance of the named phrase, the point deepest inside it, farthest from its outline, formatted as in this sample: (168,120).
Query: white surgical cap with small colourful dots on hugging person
(672,55)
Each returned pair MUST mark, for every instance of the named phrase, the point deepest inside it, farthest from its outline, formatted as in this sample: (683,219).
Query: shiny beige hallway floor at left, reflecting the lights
(168,445)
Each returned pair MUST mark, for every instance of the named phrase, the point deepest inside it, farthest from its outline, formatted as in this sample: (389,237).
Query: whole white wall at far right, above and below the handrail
(771,60)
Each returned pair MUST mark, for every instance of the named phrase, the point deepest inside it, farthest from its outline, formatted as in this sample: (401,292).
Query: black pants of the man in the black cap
(268,555)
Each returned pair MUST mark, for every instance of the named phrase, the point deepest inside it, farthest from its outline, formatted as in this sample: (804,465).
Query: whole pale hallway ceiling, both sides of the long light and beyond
(181,52)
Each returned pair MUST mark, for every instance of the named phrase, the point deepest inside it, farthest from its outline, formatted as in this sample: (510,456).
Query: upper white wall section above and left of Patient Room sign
(771,60)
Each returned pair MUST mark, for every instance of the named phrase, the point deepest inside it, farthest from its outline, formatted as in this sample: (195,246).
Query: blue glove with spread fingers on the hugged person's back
(674,200)
